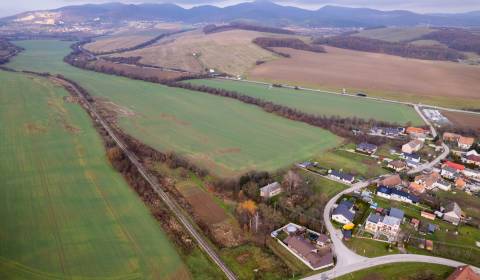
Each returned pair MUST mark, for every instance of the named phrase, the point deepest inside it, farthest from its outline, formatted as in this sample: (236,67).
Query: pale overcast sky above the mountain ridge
(8,7)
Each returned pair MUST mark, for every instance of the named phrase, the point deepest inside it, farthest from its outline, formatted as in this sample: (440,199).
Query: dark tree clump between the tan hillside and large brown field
(293,43)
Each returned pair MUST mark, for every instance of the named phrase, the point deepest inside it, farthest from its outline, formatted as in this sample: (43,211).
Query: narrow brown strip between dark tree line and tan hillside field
(137,70)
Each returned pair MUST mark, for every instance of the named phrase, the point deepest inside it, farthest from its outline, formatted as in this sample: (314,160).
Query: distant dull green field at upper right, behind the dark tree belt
(395,34)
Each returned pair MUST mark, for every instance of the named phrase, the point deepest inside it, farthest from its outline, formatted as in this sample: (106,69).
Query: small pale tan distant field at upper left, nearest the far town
(117,42)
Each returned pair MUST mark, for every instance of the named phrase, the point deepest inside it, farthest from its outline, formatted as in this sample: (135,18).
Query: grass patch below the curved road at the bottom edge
(401,271)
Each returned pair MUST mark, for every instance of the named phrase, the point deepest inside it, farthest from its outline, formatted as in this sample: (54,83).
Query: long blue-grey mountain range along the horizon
(260,11)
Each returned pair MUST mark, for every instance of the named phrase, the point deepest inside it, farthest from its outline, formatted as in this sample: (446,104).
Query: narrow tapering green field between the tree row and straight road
(321,103)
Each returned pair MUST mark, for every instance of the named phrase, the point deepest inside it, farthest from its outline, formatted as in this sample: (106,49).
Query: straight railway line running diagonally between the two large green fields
(176,210)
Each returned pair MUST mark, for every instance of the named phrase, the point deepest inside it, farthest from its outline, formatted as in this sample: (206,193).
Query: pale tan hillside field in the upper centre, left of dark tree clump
(231,51)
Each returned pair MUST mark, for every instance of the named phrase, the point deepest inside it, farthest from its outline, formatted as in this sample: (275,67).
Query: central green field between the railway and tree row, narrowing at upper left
(221,134)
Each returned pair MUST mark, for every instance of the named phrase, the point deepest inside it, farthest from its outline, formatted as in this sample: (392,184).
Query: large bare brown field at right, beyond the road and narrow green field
(430,82)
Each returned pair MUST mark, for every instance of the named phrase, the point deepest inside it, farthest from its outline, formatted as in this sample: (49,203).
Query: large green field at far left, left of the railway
(65,212)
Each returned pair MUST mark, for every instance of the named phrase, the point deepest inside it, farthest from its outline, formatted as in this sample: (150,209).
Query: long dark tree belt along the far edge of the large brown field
(392,48)
